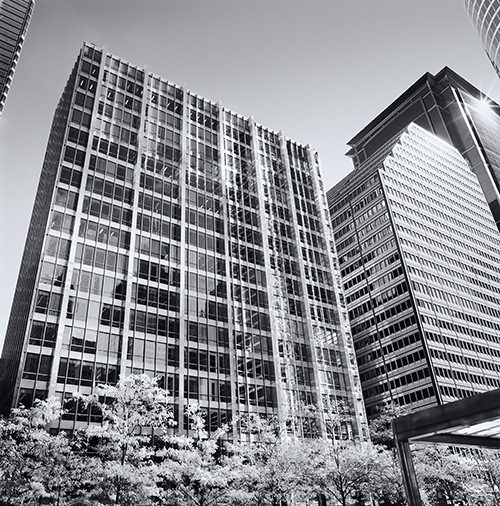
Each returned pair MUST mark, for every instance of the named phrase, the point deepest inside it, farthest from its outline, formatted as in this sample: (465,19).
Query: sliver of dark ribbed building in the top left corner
(15,16)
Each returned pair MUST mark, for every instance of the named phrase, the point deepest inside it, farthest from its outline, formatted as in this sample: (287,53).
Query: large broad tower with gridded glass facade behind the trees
(174,237)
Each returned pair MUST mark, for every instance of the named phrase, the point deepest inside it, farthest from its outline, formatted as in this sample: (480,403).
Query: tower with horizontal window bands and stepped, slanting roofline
(421,296)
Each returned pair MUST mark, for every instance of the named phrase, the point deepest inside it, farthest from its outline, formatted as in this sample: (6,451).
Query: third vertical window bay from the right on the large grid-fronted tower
(255,366)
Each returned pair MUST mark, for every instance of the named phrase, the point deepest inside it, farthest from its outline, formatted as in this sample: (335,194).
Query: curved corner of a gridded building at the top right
(485,16)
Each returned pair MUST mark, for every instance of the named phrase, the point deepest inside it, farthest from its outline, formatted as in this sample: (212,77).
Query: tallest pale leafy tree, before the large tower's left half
(121,450)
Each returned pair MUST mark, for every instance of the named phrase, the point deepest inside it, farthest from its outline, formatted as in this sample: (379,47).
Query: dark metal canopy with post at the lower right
(471,422)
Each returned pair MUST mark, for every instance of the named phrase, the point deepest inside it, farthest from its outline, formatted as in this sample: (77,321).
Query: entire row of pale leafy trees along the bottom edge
(133,458)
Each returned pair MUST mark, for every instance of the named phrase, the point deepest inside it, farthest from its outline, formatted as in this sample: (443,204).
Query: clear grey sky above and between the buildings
(319,70)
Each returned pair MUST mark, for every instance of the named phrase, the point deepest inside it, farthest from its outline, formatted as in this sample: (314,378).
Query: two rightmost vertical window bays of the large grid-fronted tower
(302,288)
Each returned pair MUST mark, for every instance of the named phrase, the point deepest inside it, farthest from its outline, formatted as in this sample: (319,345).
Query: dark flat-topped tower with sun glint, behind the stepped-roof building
(454,110)
